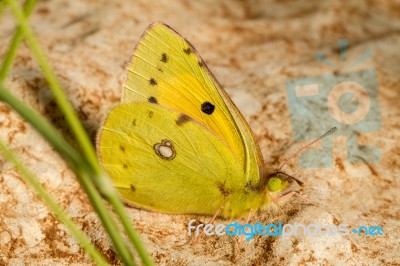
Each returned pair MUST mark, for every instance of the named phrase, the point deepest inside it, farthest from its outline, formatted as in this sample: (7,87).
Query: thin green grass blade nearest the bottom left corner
(29,178)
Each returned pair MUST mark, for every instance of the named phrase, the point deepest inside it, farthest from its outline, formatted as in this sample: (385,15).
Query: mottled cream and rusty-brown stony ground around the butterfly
(254,48)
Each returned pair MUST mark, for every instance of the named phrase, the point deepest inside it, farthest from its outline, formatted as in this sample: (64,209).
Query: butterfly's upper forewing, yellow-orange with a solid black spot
(167,70)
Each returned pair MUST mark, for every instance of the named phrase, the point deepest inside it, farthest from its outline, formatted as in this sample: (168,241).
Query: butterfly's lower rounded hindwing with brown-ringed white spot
(161,161)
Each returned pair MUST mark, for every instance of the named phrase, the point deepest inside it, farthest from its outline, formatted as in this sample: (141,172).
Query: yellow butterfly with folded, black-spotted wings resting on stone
(176,143)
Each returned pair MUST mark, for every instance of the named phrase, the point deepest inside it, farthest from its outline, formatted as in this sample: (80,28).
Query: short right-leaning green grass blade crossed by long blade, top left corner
(15,41)
